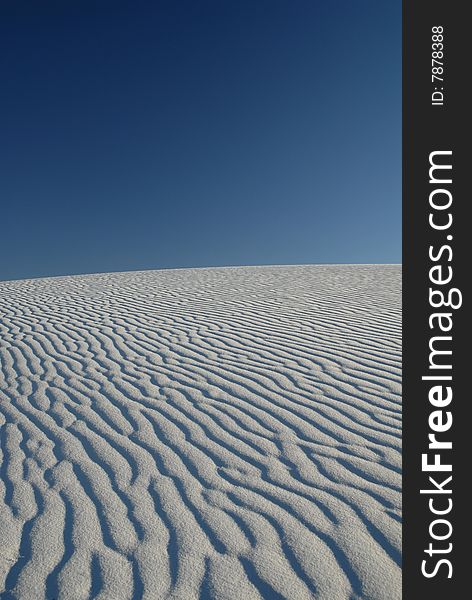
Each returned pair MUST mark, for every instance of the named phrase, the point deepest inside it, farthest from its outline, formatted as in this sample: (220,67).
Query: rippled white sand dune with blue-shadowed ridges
(211,433)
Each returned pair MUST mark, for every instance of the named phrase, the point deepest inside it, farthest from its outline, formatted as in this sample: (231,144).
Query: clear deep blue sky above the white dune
(154,134)
